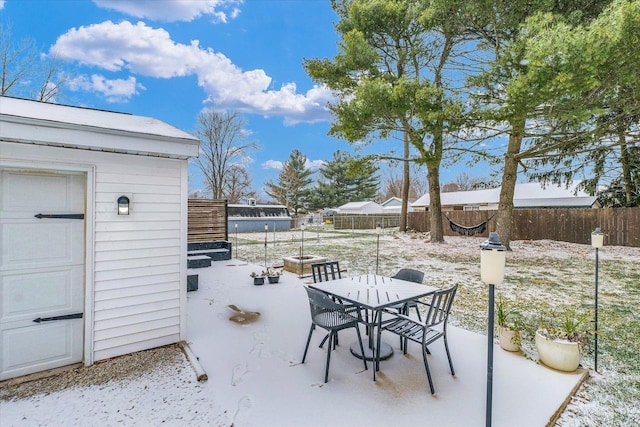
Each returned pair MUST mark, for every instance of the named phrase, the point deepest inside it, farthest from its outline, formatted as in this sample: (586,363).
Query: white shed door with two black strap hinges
(41,270)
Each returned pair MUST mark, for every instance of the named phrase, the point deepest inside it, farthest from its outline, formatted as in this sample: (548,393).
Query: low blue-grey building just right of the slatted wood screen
(252,217)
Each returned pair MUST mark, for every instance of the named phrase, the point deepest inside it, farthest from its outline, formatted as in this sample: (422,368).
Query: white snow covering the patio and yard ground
(255,375)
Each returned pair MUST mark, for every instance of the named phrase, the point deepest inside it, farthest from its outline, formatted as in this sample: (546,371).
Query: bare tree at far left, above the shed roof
(26,73)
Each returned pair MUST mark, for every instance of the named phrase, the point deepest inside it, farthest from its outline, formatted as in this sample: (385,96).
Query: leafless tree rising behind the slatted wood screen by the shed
(223,147)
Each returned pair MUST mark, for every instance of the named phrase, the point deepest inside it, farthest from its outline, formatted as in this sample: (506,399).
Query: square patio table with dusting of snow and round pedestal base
(373,292)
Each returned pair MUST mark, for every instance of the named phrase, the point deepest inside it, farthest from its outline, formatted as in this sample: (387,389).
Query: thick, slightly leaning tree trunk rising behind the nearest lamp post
(509,177)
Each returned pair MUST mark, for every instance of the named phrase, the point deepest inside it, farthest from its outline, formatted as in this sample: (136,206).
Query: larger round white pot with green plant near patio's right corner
(560,342)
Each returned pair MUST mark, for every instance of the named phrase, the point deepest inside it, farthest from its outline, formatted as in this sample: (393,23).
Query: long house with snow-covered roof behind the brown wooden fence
(527,196)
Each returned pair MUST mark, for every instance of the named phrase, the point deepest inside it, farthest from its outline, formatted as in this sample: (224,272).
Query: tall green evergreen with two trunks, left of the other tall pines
(390,77)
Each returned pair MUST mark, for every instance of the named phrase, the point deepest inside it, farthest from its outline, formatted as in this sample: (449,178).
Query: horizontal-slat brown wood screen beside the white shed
(207,220)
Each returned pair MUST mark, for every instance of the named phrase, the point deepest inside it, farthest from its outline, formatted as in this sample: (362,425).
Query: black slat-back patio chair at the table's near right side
(424,332)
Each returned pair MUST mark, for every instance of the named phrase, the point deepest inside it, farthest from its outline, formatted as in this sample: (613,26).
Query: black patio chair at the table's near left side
(332,317)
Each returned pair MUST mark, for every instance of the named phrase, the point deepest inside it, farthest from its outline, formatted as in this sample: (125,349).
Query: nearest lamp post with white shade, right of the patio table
(492,261)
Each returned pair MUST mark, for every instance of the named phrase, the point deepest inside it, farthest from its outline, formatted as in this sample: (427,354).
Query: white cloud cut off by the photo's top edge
(174,10)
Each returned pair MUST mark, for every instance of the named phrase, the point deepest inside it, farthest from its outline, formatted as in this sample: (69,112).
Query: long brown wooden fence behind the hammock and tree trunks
(620,225)
